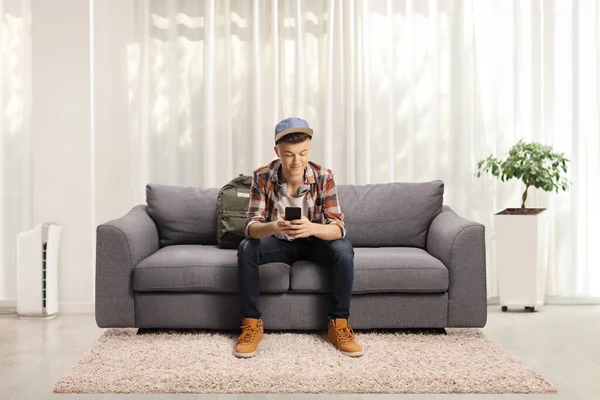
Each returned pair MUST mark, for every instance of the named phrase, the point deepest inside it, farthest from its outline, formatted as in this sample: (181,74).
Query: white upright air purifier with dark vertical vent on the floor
(37,272)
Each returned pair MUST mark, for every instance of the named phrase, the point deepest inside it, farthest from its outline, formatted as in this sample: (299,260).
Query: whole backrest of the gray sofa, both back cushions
(377,215)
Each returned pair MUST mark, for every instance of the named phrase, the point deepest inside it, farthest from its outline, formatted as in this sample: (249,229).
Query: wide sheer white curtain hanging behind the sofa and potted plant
(190,91)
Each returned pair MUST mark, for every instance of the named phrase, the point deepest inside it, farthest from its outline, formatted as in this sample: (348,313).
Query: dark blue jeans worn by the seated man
(336,254)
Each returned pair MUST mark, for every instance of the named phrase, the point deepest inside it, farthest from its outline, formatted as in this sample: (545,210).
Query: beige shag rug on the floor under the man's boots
(462,361)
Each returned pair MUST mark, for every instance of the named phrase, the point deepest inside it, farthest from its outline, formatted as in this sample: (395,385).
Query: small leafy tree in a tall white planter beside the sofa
(520,233)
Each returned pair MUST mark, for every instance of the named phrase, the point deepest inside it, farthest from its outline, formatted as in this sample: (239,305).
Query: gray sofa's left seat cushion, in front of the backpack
(198,268)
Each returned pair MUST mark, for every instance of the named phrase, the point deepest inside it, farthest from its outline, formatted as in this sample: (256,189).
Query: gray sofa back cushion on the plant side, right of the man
(390,214)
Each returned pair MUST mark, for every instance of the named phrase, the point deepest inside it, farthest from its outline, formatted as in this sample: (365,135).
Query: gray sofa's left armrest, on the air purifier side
(120,245)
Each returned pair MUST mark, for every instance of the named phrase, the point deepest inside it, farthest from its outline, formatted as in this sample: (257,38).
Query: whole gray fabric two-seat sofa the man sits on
(417,265)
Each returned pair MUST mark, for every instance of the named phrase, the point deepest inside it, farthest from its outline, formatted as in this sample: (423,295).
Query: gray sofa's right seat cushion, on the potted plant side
(386,269)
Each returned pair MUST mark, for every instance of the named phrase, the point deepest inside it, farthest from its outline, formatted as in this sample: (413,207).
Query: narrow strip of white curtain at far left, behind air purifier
(15,134)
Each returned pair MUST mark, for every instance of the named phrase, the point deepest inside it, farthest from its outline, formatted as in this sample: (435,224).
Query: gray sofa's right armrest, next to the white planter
(460,245)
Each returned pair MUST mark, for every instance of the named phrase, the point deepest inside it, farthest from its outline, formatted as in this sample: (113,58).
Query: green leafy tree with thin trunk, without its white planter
(534,164)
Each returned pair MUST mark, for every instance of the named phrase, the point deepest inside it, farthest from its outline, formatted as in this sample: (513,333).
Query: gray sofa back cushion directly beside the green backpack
(183,215)
